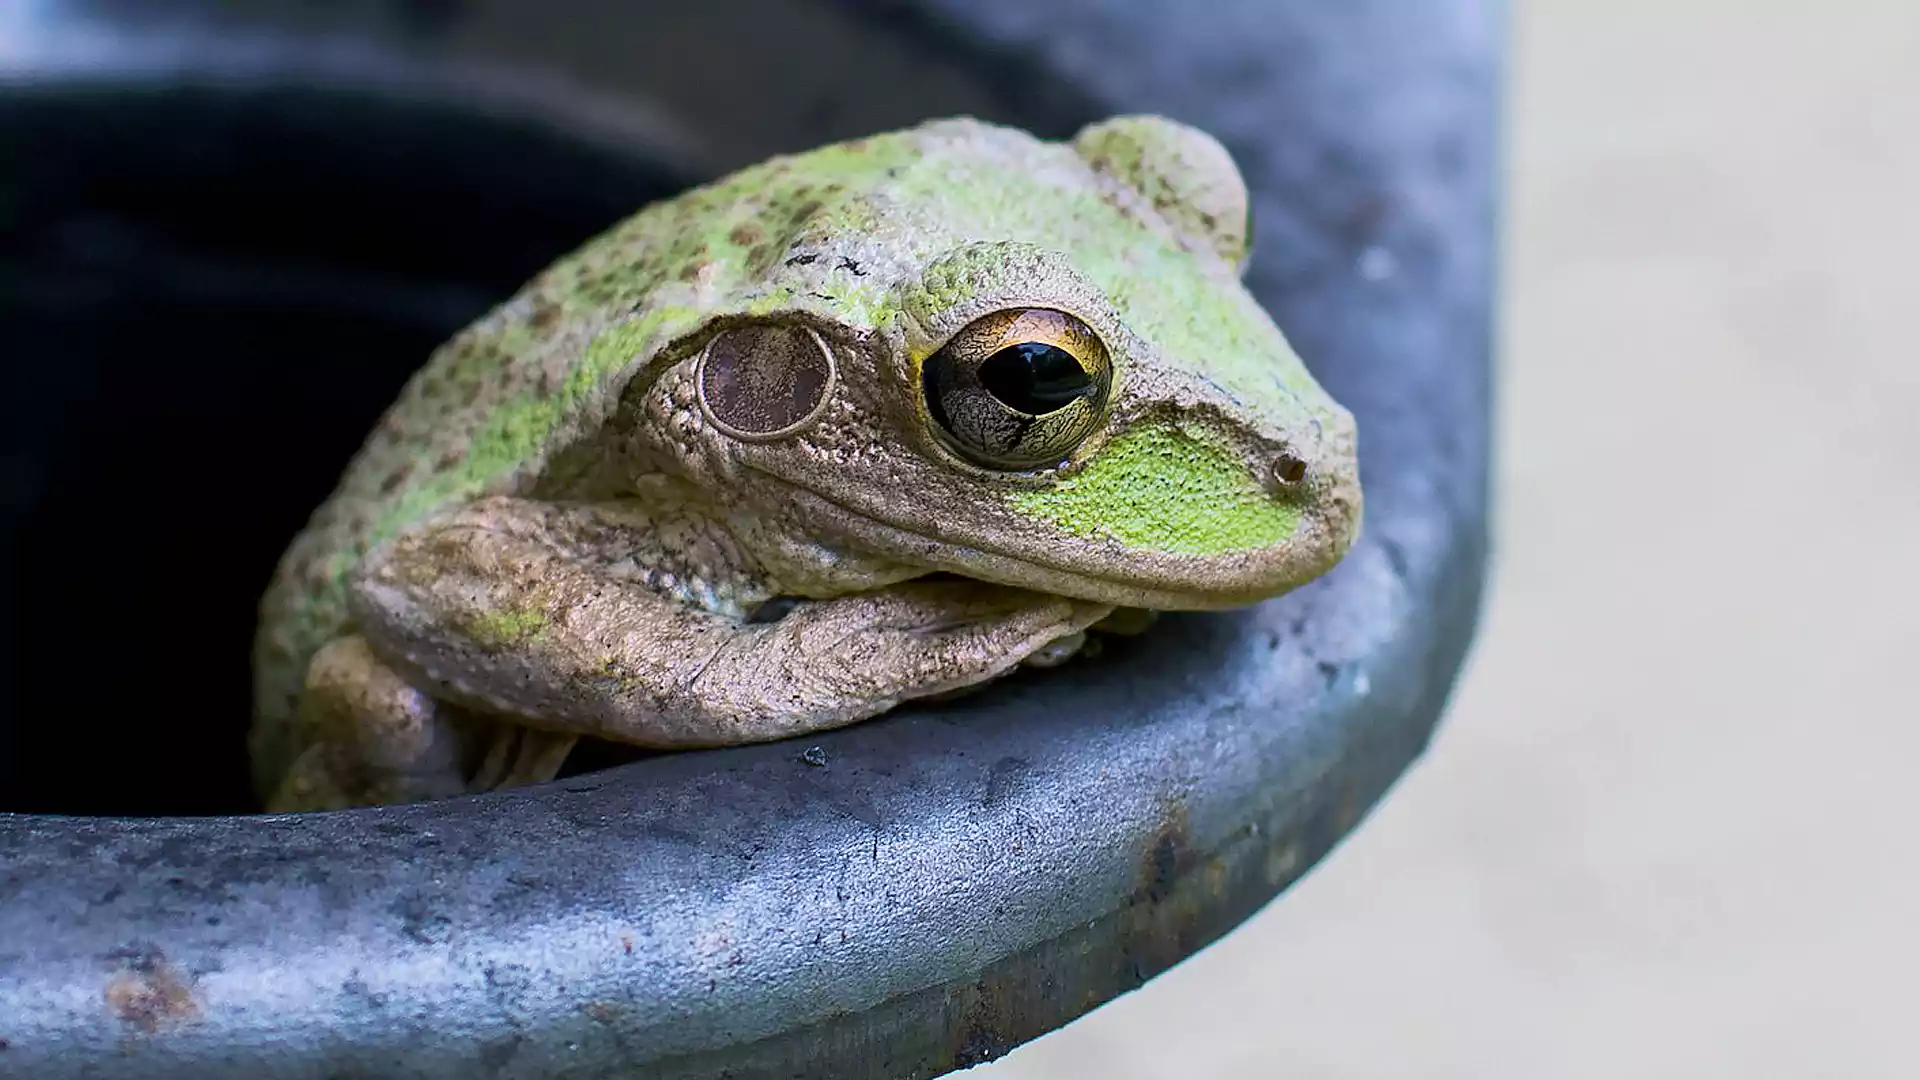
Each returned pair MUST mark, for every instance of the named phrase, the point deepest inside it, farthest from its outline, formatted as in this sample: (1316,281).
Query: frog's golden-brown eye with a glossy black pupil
(1019,389)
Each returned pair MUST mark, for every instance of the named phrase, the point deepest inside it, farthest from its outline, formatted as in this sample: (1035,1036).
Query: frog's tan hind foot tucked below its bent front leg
(375,741)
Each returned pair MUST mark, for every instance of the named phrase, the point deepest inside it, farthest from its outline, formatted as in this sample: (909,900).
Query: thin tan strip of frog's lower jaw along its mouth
(1170,585)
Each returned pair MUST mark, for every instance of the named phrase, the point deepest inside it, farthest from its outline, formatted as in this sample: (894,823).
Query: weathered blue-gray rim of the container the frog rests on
(951,881)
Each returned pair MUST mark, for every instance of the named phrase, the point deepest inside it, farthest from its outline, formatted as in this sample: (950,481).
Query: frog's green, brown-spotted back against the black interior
(504,401)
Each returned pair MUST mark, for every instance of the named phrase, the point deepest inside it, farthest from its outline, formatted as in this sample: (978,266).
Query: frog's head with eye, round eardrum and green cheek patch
(1032,364)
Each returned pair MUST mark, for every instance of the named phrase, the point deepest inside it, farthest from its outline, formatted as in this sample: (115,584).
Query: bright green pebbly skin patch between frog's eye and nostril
(1164,491)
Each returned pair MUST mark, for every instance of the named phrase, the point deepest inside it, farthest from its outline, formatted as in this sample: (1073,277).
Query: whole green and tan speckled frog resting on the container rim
(852,428)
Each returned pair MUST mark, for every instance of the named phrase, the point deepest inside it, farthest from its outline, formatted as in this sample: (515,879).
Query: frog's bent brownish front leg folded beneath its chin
(529,610)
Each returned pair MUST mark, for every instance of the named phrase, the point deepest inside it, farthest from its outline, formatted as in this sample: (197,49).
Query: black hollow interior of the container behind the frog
(208,297)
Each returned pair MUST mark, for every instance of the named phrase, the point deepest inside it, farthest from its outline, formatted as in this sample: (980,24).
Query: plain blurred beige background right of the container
(1669,825)
